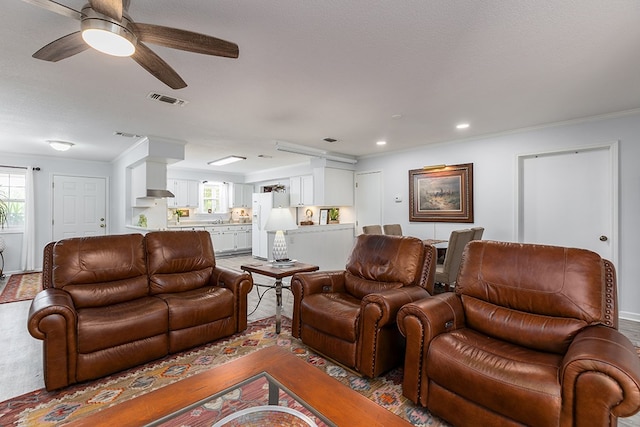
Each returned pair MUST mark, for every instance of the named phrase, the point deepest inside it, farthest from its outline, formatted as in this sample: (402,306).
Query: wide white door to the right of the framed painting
(570,199)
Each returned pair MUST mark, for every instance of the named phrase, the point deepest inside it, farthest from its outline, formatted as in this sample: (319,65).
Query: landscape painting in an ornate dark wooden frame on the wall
(441,194)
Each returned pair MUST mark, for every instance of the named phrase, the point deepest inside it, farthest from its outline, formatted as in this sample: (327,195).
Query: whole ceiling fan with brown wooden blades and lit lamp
(109,19)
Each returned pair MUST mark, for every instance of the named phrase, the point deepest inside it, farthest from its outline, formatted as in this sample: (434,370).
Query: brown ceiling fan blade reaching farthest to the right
(184,40)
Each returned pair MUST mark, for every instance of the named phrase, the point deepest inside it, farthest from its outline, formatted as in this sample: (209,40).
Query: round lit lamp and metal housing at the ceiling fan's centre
(106,35)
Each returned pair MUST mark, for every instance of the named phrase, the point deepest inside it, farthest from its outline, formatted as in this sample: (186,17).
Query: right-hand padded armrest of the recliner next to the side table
(382,307)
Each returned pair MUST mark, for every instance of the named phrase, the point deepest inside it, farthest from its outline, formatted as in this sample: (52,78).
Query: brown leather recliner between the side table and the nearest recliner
(350,315)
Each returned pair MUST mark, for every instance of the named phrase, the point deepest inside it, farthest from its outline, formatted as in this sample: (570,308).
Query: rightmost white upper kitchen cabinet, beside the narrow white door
(332,187)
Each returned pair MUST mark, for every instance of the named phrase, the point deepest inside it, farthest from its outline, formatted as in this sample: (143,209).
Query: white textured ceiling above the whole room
(314,69)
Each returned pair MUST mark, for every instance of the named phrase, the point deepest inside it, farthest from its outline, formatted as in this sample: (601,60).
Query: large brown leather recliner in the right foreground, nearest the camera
(528,338)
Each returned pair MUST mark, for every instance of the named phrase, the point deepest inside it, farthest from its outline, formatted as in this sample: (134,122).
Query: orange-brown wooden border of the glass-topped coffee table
(333,400)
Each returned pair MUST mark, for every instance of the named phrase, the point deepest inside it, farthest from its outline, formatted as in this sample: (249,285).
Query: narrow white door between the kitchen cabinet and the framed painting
(368,199)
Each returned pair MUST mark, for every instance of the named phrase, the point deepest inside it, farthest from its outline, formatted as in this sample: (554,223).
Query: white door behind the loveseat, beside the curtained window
(79,206)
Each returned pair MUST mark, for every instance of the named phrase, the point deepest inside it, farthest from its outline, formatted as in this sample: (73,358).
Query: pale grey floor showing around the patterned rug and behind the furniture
(21,360)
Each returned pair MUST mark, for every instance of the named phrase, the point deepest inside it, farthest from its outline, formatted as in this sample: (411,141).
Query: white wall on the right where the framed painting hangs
(494,170)
